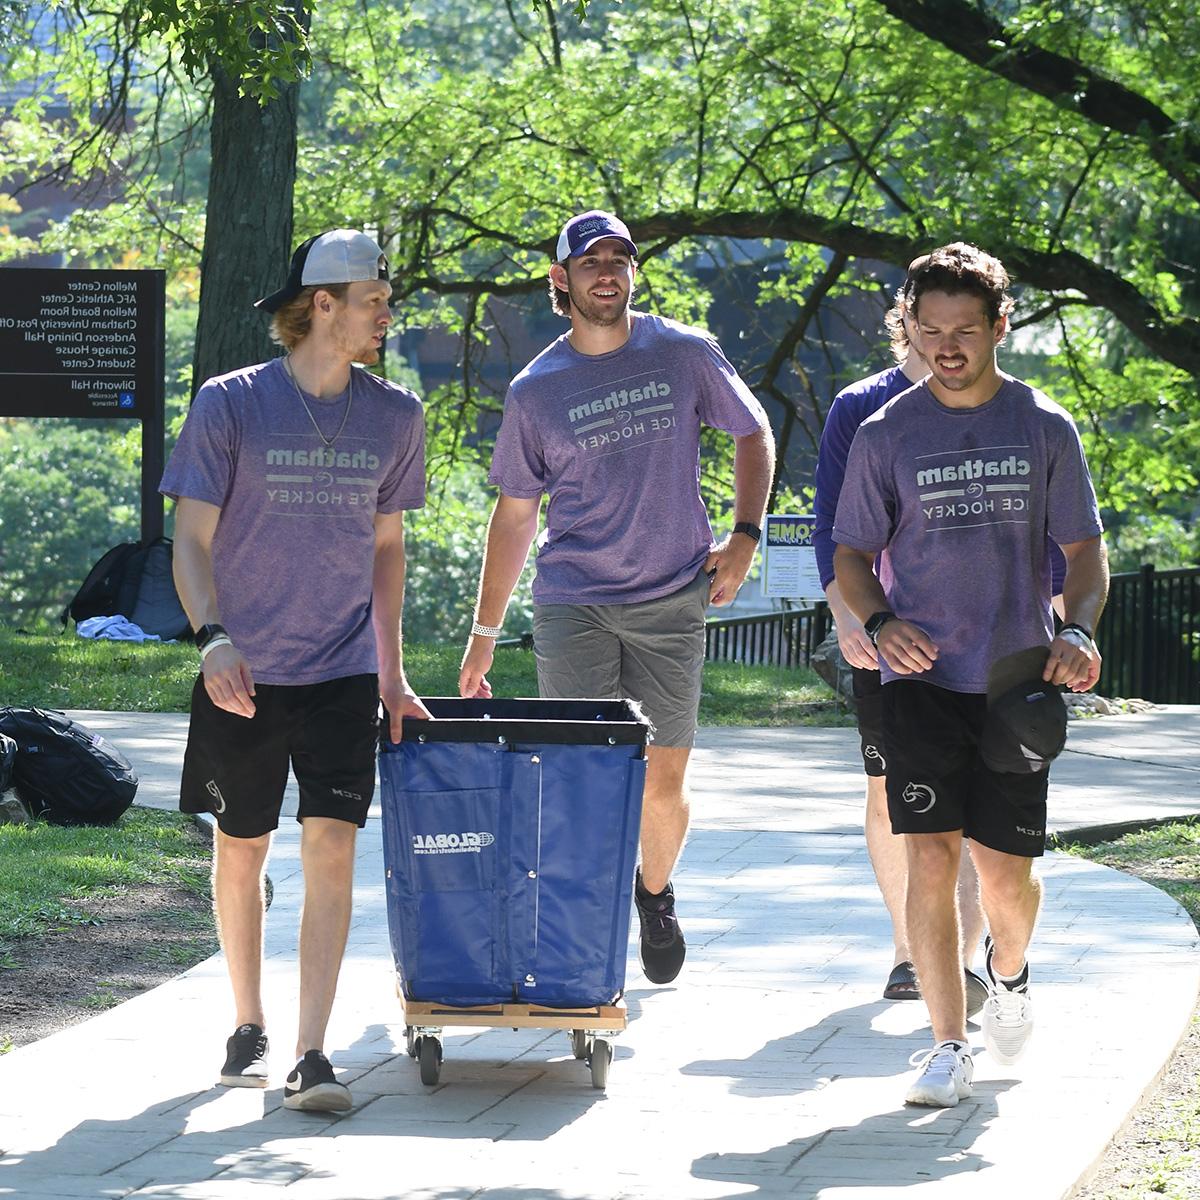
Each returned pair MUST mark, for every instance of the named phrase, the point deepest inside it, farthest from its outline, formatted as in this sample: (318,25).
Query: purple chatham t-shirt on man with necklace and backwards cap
(293,554)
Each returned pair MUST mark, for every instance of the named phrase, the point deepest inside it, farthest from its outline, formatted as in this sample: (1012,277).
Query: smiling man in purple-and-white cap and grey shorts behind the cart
(607,422)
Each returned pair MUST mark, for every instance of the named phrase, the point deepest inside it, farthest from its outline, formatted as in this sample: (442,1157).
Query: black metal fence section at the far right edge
(1150,637)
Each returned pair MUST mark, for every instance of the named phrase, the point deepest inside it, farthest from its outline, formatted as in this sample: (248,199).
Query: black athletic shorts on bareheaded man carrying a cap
(938,782)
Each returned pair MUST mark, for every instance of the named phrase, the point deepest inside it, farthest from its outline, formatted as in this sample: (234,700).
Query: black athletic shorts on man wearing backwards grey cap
(237,767)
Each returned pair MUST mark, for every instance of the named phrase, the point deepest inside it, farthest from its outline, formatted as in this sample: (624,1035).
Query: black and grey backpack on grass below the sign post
(134,581)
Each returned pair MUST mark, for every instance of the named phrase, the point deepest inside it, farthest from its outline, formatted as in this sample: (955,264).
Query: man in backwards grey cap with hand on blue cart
(292,479)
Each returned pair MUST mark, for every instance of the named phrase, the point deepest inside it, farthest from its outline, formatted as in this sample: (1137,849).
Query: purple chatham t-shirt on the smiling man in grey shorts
(615,440)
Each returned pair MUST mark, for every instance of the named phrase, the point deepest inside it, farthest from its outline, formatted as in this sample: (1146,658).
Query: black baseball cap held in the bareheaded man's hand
(1027,724)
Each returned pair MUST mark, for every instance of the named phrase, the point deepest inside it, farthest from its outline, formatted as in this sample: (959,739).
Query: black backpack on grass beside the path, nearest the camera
(65,772)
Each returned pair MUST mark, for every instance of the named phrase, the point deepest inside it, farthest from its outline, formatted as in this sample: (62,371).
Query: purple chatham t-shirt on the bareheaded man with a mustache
(961,502)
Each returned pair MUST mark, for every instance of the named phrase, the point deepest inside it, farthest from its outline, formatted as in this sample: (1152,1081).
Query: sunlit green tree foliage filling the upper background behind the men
(742,142)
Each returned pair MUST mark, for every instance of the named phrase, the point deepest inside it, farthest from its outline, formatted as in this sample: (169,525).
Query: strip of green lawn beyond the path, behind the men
(65,671)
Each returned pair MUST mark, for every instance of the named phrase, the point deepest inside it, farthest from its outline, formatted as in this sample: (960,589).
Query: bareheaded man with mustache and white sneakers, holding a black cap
(961,484)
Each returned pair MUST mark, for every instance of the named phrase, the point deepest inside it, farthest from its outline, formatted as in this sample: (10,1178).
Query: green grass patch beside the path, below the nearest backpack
(50,874)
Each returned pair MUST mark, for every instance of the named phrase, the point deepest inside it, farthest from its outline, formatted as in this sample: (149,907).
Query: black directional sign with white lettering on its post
(89,345)
